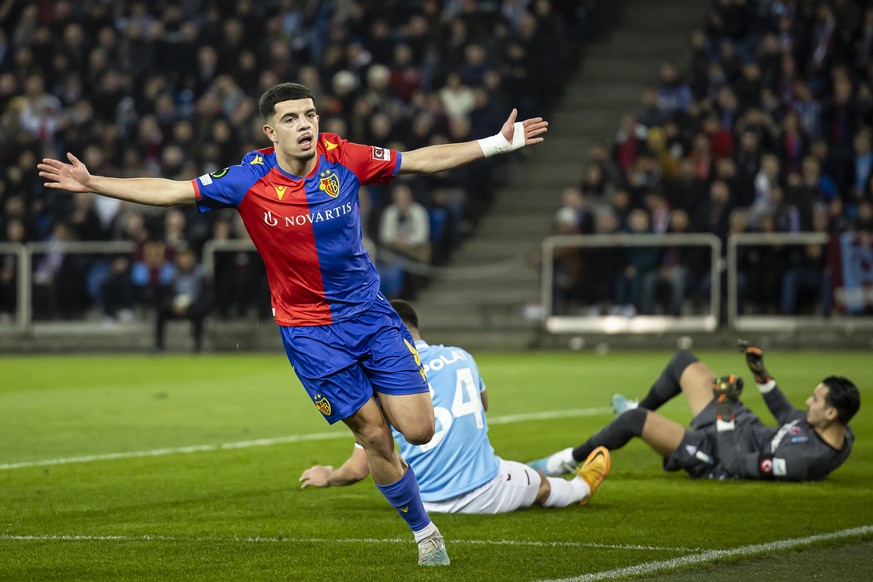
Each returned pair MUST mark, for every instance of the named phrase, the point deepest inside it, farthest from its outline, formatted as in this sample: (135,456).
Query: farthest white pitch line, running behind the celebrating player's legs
(278,441)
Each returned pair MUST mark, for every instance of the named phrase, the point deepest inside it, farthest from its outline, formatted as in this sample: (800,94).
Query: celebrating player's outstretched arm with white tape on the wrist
(439,158)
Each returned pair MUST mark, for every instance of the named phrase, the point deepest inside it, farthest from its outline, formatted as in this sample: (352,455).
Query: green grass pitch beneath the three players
(238,514)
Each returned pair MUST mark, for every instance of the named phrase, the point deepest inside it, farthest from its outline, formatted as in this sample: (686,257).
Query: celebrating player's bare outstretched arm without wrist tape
(75,177)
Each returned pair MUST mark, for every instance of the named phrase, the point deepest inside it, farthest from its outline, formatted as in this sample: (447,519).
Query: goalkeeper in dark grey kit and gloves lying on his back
(727,440)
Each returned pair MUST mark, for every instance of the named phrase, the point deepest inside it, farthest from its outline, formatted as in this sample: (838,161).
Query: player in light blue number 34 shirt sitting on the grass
(457,470)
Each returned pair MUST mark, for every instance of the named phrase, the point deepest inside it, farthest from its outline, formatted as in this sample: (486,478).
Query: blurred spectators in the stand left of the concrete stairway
(170,88)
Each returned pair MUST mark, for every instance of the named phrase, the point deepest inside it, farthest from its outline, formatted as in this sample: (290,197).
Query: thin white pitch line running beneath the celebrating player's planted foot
(284,540)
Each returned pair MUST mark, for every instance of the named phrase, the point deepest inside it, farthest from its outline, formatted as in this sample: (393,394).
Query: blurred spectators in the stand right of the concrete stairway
(768,130)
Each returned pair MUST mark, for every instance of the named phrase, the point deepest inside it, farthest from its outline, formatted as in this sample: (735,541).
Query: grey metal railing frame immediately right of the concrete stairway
(641,323)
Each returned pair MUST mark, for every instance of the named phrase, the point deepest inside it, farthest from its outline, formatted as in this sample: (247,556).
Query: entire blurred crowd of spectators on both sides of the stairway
(766,128)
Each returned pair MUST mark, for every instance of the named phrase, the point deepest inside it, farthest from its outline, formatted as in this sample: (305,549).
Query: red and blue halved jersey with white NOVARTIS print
(307,229)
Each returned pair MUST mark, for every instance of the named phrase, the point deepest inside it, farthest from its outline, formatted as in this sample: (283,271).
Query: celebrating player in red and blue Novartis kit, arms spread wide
(299,202)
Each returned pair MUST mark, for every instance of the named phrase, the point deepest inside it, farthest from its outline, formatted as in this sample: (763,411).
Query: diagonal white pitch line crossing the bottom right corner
(648,568)
